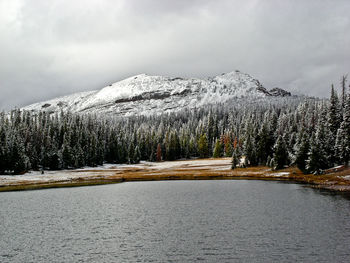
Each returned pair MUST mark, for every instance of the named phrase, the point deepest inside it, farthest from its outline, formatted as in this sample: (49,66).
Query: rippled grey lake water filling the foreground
(177,221)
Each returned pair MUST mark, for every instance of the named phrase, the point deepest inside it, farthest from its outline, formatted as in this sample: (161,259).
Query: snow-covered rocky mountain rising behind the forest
(144,94)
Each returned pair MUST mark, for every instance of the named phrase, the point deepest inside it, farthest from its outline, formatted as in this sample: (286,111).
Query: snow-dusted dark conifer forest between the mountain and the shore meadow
(312,134)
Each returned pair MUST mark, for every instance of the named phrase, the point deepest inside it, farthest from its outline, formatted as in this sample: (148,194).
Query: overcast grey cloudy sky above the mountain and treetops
(57,47)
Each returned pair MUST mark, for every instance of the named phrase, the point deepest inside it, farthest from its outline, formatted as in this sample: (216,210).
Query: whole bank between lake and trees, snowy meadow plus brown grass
(197,169)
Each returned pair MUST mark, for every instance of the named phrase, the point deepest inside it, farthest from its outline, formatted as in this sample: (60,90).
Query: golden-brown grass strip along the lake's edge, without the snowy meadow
(334,181)
